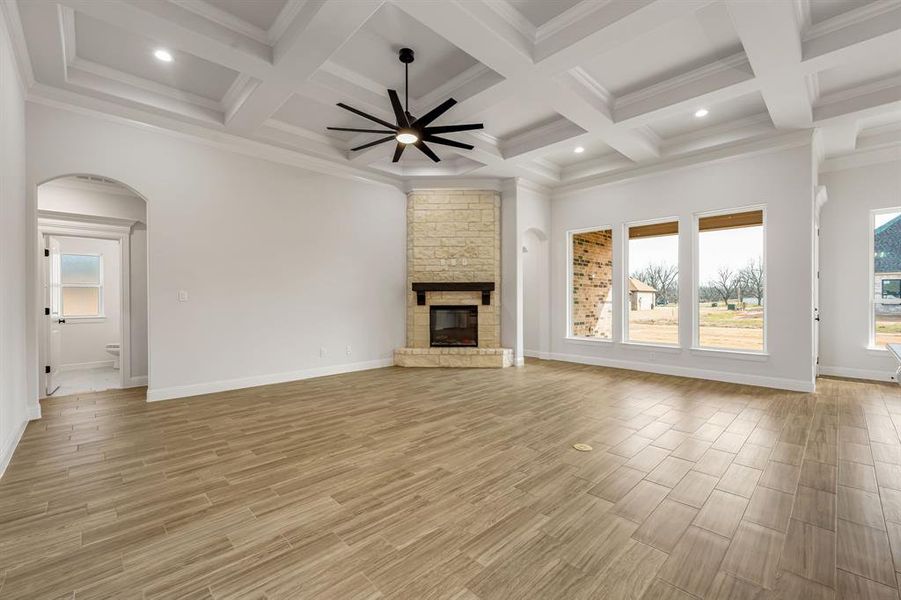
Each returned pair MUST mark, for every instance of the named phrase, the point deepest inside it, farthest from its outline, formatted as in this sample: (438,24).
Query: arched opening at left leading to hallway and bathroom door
(93,275)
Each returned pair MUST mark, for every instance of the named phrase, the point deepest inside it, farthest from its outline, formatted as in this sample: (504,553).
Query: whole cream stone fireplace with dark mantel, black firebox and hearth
(453,275)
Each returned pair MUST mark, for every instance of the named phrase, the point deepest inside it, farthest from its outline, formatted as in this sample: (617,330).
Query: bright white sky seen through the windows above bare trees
(730,247)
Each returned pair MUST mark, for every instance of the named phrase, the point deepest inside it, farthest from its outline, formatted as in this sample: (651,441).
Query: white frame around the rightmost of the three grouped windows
(696,346)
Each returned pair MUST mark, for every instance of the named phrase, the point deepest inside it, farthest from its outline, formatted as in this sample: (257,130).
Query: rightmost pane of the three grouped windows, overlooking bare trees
(731,277)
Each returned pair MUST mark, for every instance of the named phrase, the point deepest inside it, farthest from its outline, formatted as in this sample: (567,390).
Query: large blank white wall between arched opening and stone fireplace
(278,262)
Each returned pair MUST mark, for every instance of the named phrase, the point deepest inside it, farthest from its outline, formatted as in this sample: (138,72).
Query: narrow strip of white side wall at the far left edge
(14,411)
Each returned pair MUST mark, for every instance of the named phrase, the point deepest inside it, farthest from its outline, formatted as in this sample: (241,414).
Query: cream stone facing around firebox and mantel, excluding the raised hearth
(453,235)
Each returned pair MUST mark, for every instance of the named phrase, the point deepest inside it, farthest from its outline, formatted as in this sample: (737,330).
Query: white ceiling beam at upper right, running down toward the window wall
(771,36)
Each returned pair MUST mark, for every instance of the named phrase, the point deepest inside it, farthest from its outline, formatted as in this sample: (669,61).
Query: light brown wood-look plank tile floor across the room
(460,485)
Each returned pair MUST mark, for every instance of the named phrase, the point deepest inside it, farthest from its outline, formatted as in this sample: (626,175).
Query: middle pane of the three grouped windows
(652,301)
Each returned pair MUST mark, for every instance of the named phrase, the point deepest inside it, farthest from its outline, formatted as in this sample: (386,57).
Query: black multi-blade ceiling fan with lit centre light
(409,129)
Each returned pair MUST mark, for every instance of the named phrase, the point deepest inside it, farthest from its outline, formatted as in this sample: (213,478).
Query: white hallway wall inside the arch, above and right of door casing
(75,199)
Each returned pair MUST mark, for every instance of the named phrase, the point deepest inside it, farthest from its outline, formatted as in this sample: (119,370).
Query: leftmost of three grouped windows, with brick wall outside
(592,310)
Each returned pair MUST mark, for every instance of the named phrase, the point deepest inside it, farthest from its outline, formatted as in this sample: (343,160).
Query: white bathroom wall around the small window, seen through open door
(83,341)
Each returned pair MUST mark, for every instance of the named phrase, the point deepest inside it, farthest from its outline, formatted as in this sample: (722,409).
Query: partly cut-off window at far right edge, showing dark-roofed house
(885,298)
